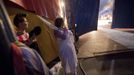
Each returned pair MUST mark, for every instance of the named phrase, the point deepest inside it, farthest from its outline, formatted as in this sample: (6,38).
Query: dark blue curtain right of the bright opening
(123,15)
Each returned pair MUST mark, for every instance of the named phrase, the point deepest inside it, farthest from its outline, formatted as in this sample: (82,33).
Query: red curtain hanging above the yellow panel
(46,8)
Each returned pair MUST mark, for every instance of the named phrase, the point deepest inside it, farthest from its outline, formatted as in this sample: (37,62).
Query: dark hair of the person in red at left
(19,18)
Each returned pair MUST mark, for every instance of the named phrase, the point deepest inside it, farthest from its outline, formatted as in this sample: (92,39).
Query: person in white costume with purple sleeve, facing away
(67,51)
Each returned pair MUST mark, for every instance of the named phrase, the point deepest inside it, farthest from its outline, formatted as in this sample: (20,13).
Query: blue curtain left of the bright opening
(85,13)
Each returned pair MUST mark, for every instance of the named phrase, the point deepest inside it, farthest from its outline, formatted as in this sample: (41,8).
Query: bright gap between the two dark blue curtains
(105,13)
